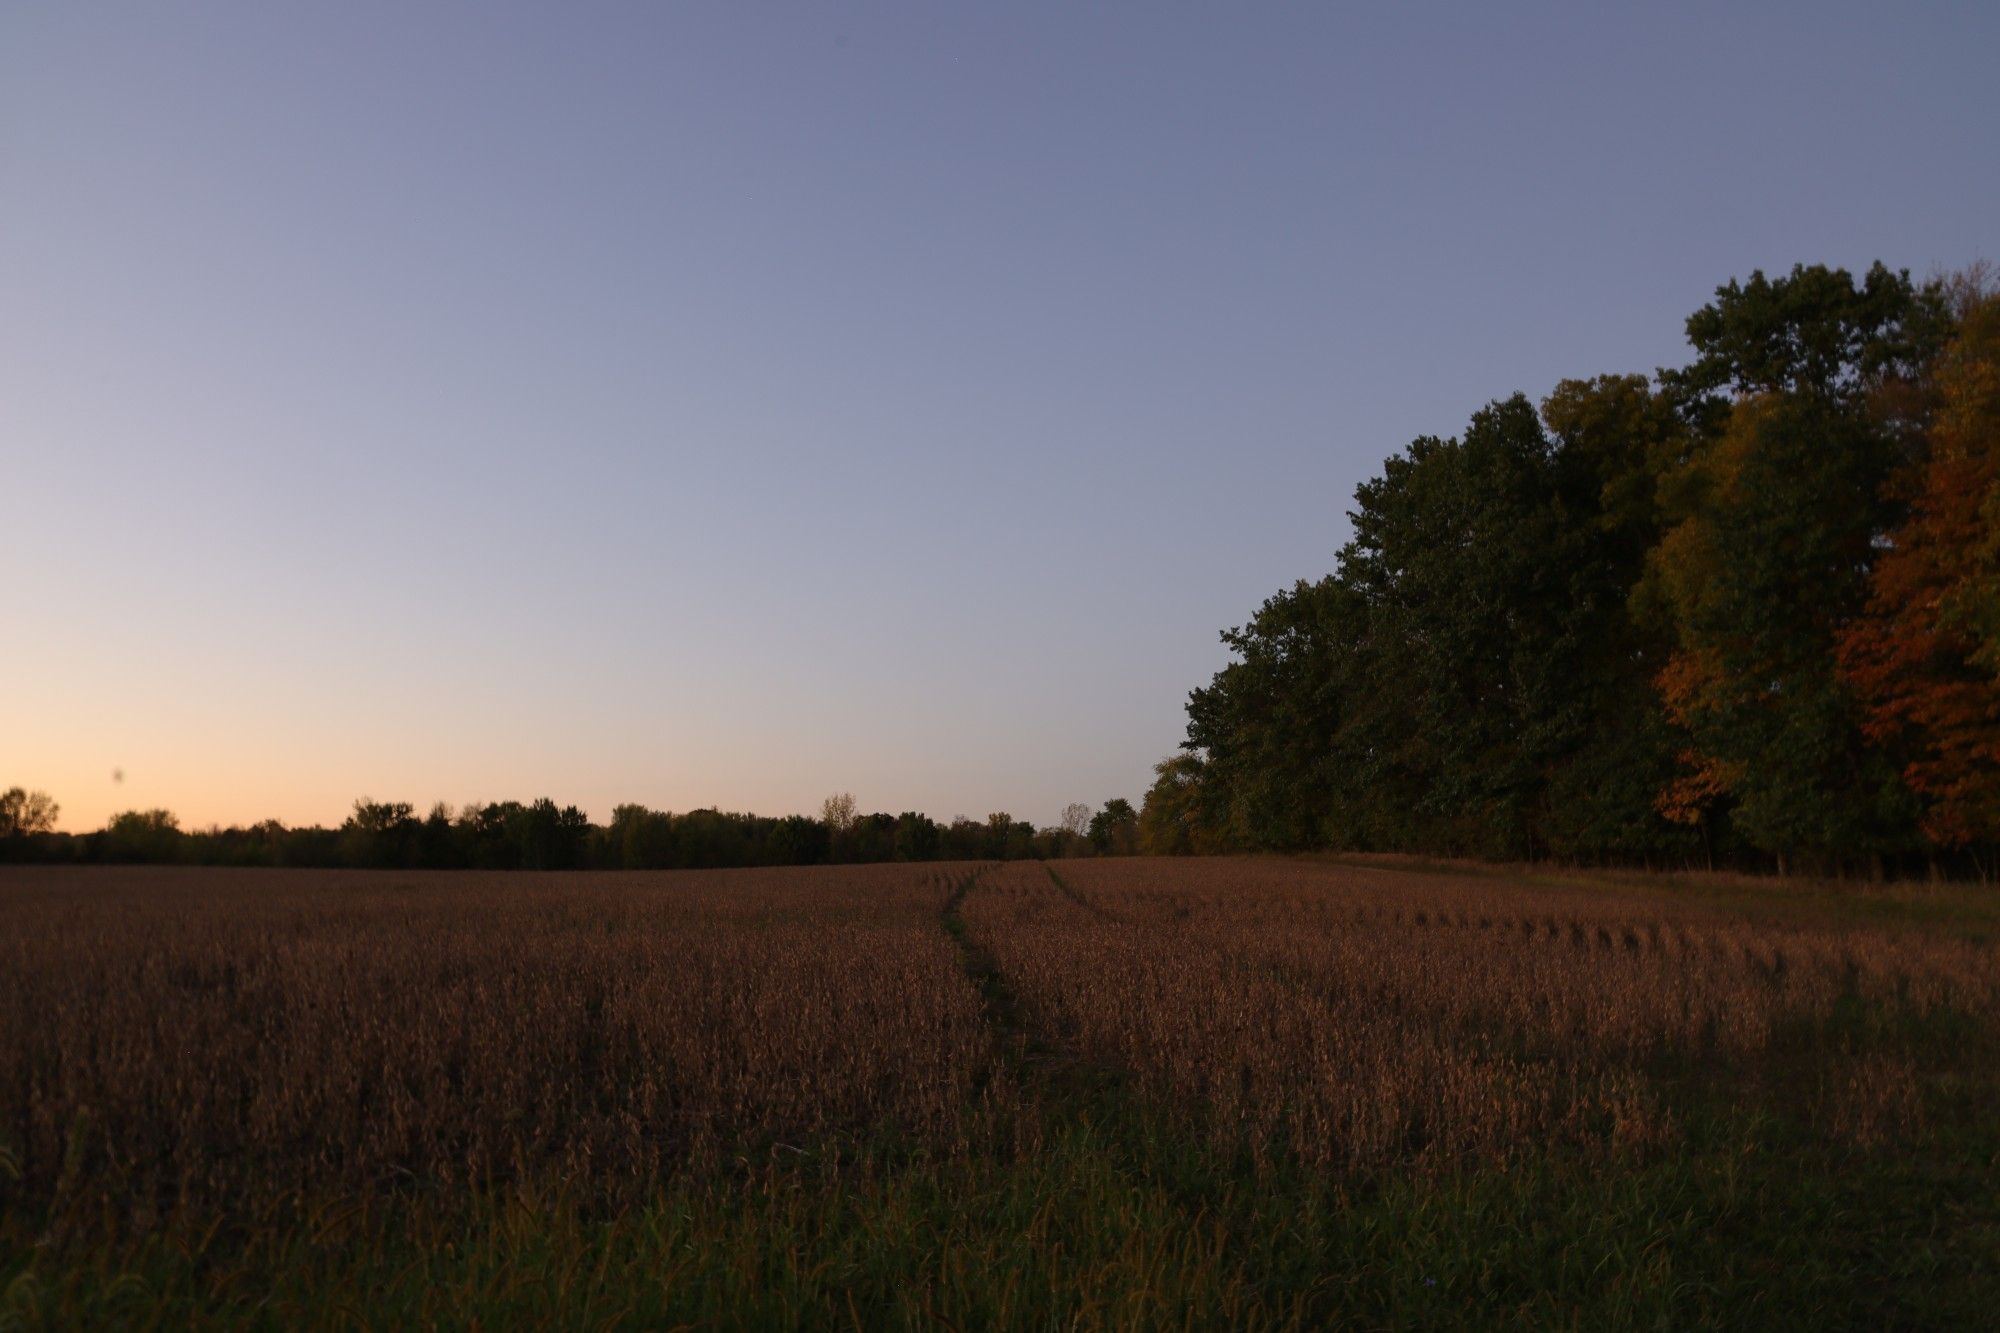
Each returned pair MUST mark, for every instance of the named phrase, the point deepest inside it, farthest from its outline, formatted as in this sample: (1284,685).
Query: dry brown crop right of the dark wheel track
(1359,1018)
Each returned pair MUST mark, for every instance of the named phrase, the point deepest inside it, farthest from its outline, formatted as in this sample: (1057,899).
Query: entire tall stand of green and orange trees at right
(1739,613)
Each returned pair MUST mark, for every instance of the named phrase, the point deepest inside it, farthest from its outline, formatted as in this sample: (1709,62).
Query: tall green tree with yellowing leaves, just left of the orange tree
(1797,399)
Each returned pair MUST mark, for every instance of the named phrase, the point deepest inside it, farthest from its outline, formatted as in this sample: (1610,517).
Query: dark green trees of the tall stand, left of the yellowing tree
(1471,674)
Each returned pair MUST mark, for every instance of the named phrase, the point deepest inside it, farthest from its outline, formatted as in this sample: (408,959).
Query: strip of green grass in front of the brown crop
(1113,1222)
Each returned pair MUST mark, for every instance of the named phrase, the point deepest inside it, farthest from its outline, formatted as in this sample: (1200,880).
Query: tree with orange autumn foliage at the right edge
(1927,651)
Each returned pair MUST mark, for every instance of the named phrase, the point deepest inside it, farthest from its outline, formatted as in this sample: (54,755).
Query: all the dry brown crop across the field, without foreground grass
(185,1038)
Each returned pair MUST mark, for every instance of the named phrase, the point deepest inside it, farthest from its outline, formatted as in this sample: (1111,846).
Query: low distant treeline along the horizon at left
(541,836)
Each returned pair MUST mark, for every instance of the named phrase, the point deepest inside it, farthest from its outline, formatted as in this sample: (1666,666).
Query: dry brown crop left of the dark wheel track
(197,1036)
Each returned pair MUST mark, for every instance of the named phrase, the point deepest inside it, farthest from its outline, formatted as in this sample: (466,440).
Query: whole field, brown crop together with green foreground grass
(1095,1094)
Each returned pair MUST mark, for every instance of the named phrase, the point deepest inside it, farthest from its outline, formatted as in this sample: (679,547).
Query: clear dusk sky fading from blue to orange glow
(739,403)
